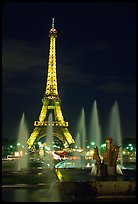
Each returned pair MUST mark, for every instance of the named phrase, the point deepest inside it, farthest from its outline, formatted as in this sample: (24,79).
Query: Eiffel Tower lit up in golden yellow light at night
(51,102)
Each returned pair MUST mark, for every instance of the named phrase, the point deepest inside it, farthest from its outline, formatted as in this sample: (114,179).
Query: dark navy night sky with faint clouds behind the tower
(96,60)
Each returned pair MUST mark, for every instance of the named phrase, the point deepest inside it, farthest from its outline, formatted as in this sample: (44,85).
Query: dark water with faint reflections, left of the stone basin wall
(30,186)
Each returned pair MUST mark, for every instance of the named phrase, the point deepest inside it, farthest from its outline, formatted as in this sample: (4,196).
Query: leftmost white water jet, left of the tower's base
(22,148)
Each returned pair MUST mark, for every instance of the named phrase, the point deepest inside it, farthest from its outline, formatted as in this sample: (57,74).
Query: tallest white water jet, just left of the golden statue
(94,128)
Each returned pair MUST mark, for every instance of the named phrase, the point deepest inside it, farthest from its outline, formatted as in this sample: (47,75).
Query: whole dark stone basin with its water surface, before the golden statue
(80,183)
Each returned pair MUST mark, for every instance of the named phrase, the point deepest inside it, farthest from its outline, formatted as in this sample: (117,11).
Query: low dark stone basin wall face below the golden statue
(100,190)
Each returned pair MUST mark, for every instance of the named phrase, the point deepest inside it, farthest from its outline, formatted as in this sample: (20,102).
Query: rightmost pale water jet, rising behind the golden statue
(115,128)
